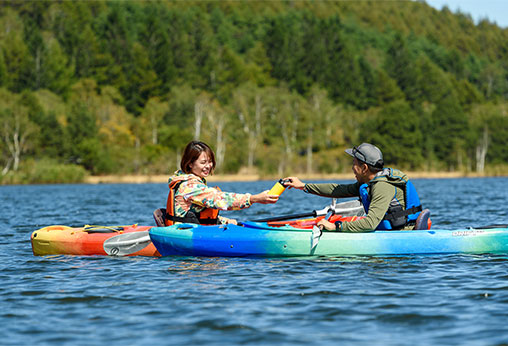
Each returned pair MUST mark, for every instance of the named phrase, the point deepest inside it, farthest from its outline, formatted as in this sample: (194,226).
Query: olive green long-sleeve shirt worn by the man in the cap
(382,193)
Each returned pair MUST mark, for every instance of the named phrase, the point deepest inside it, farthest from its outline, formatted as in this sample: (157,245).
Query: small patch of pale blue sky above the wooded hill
(495,10)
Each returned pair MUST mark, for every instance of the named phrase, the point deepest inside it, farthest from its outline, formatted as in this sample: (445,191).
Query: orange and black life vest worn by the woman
(207,216)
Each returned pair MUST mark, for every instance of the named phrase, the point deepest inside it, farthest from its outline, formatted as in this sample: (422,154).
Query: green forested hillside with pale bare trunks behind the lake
(120,87)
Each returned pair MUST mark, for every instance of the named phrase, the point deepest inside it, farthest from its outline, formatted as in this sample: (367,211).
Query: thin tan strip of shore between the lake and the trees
(142,179)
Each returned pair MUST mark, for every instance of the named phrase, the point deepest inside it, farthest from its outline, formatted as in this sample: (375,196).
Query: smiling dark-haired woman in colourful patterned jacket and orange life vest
(190,200)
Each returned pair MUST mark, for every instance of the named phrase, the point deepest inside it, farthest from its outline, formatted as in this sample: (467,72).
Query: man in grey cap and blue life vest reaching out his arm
(388,197)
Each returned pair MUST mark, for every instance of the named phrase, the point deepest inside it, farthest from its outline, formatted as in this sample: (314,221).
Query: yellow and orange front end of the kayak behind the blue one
(88,240)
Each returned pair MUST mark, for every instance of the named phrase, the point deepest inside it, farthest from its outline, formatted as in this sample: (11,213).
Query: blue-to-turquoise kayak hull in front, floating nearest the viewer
(259,239)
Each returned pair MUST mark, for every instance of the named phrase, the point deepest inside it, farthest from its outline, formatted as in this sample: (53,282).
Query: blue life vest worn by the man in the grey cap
(396,217)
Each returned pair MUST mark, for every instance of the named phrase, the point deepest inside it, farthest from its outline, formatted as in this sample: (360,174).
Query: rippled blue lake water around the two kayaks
(361,300)
